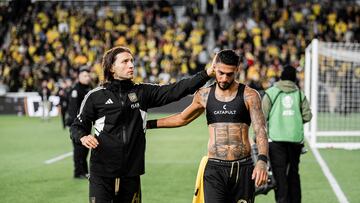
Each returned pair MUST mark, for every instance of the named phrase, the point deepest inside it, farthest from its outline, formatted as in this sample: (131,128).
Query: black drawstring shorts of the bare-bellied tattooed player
(229,181)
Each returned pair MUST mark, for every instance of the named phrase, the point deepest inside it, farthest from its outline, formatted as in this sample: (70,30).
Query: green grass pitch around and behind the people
(172,157)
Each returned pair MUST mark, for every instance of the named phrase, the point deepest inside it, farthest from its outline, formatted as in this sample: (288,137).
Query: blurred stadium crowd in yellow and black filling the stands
(50,41)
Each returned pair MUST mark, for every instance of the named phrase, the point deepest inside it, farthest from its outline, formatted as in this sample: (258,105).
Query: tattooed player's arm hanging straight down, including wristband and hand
(253,103)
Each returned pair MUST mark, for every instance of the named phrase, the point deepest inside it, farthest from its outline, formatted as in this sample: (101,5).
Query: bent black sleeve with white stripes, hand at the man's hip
(83,122)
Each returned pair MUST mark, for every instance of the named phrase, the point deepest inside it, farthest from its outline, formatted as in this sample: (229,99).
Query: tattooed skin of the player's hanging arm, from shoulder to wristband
(253,100)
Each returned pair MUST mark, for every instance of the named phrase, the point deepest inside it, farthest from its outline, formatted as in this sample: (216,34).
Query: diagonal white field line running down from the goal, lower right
(333,183)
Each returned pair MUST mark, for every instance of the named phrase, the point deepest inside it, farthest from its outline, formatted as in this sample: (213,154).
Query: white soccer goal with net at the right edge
(332,85)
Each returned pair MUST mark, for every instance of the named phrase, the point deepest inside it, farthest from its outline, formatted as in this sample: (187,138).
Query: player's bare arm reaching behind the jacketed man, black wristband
(194,110)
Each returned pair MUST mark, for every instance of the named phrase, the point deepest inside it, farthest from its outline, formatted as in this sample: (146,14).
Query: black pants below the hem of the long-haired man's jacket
(114,190)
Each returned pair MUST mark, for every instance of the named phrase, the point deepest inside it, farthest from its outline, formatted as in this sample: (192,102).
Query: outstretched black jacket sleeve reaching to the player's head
(155,95)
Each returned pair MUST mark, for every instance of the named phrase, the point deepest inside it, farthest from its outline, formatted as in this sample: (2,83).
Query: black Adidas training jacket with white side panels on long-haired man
(118,110)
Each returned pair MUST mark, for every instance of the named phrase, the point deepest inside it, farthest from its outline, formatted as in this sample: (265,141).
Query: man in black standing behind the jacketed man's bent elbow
(77,94)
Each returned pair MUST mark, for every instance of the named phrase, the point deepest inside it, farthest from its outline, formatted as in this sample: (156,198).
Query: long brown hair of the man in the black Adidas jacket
(109,59)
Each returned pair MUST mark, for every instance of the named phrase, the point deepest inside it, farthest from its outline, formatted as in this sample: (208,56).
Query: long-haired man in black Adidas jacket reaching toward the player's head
(118,110)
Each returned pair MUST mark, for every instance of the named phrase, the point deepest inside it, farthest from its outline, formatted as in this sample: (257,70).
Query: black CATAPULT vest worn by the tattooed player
(234,111)
